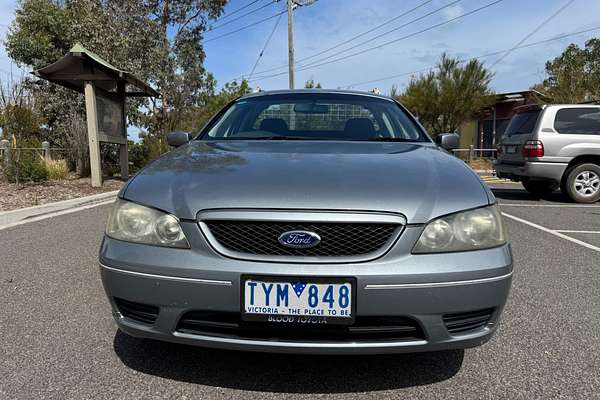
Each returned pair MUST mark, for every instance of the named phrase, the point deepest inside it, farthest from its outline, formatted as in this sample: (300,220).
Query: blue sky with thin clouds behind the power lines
(329,22)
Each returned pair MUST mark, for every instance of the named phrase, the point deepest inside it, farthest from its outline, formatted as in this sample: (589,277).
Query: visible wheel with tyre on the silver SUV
(582,183)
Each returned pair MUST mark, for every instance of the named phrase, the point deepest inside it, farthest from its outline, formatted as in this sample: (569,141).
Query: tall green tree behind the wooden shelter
(159,40)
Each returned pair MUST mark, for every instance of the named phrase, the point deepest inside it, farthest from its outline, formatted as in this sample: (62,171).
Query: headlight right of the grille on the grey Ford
(481,228)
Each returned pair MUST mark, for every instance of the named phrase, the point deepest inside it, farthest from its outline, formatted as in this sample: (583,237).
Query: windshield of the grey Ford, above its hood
(314,116)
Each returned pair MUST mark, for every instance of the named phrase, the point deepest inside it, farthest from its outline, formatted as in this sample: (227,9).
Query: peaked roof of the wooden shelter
(80,65)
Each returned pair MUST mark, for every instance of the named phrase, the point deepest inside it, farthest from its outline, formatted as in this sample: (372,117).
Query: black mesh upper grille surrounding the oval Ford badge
(337,239)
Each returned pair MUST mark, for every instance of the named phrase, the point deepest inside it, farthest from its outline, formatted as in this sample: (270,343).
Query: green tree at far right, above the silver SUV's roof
(574,76)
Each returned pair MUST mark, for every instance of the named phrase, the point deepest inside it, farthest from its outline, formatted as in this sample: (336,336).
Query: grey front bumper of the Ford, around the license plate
(423,288)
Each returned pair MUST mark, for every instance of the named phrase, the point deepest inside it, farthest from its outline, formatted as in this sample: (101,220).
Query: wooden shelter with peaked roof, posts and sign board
(105,88)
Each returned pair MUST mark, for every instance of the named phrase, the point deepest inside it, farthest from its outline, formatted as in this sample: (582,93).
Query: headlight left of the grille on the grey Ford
(135,223)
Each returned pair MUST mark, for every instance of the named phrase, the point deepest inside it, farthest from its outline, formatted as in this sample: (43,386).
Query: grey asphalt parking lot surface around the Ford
(59,340)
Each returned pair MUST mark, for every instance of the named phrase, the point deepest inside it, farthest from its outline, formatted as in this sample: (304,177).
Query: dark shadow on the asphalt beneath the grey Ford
(286,373)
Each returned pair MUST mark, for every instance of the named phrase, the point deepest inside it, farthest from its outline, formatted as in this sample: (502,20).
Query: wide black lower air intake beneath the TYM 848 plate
(230,325)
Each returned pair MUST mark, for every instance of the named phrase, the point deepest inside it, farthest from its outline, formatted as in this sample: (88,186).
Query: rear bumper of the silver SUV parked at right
(546,171)
